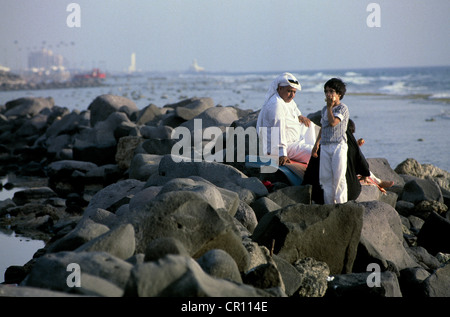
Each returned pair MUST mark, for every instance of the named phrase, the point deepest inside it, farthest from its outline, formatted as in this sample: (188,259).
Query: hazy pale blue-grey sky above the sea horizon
(228,35)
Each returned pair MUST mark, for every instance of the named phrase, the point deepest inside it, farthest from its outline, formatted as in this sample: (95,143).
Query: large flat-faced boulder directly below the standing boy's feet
(327,233)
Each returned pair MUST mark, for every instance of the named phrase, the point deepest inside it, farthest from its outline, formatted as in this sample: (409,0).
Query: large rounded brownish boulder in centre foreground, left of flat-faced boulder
(188,217)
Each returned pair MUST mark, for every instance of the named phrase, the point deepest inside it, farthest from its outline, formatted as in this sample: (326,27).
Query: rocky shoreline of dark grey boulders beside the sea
(109,197)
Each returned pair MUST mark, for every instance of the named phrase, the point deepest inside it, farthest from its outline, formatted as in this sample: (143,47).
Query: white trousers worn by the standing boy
(333,166)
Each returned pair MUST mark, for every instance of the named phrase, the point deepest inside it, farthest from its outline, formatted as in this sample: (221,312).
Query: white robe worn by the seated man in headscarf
(284,116)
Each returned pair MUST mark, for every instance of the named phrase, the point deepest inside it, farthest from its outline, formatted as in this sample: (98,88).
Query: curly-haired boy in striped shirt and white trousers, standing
(333,153)
